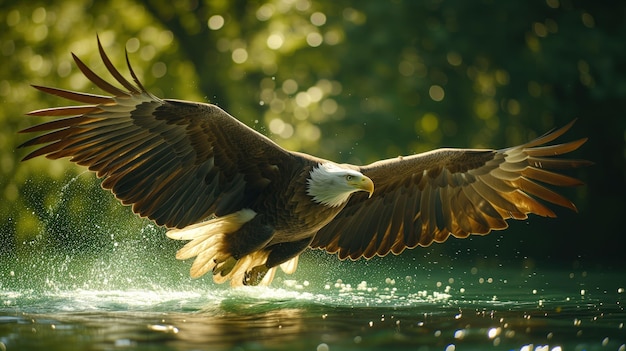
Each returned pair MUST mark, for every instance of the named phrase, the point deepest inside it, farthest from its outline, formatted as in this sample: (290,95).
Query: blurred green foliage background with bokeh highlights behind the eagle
(351,81)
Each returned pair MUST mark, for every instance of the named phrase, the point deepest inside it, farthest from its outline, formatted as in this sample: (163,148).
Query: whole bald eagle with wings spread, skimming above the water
(247,206)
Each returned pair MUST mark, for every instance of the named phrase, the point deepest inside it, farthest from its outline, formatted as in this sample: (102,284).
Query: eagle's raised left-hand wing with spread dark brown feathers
(176,162)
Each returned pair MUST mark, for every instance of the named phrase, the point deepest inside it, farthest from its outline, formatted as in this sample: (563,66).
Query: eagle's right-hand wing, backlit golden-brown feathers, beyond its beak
(424,198)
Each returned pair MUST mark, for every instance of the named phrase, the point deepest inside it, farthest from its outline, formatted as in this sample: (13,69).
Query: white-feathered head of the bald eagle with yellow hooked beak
(331,185)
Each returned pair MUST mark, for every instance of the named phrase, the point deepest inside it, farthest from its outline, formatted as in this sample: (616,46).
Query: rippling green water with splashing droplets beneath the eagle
(120,303)
